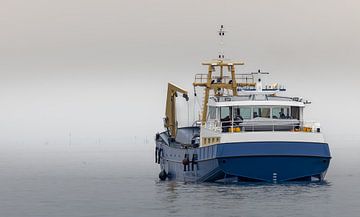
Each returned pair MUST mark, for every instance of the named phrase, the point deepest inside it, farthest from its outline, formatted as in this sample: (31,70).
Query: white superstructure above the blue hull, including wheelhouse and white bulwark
(258,115)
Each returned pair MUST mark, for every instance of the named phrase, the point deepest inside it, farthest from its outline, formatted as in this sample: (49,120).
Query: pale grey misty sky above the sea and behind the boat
(100,68)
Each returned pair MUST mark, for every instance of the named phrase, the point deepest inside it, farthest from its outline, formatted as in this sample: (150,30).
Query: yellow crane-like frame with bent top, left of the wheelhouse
(170,113)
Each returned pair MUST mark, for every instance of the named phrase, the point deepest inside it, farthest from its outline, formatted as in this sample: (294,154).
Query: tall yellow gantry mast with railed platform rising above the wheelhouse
(218,86)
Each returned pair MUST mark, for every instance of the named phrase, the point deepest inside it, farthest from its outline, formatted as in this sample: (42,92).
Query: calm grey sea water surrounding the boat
(106,180)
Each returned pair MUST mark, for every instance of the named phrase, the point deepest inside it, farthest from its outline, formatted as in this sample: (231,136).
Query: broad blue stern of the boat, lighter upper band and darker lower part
(274,161)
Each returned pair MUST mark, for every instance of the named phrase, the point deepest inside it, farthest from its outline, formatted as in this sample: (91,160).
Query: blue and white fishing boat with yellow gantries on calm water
(247,131)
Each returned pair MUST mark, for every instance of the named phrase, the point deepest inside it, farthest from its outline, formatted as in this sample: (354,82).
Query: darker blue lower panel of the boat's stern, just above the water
(275,168)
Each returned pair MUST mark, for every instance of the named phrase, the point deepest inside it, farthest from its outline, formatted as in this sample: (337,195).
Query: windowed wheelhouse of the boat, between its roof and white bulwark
(269,115)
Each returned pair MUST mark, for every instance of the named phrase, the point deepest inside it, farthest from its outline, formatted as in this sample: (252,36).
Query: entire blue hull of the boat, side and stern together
(247,161)
